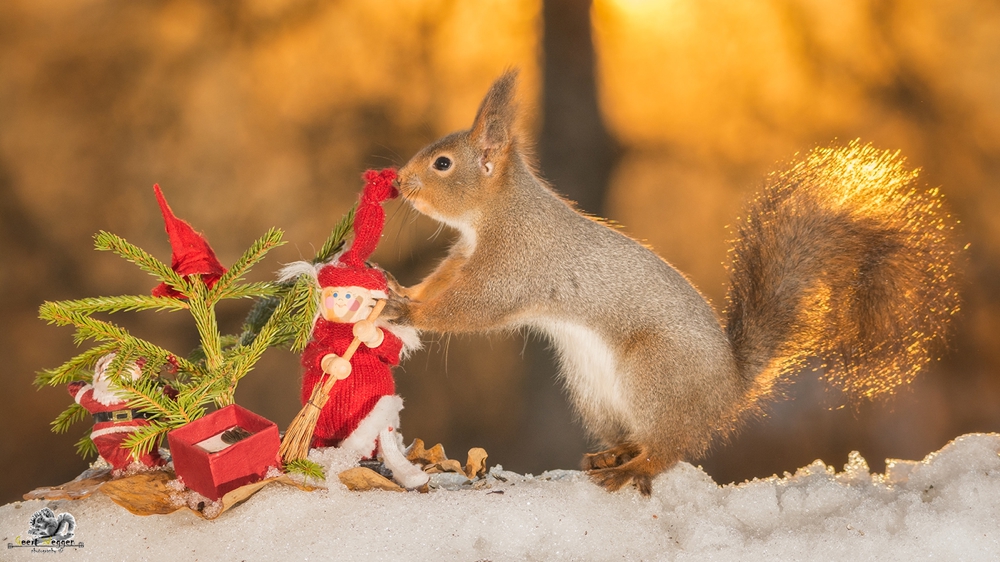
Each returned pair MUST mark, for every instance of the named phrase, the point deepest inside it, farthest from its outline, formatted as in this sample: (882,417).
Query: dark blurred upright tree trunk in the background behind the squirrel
(577,155)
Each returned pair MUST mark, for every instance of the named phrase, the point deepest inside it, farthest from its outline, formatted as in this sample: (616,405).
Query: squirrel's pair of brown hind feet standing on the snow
(622,464)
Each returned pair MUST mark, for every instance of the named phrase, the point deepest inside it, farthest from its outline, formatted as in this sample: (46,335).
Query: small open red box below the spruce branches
(214,474)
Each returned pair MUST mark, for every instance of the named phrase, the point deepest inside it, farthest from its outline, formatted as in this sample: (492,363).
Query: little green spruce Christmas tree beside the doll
(282,316)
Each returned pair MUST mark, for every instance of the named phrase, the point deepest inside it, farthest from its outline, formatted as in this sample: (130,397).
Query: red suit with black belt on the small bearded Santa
(114,422)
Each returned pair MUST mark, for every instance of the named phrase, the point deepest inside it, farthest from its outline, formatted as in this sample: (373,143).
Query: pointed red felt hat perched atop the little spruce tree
(191,253)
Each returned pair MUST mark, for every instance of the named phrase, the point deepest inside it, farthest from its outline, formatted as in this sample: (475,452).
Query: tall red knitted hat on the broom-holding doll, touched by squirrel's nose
(350,269)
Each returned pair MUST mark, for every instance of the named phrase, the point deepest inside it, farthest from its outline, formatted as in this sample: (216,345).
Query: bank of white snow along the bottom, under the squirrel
(946,507)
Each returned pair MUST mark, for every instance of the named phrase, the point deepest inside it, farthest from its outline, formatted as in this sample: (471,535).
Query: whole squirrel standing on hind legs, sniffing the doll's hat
(838,258)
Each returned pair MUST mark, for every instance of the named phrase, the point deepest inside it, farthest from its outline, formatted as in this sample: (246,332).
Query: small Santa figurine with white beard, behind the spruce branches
(114,421)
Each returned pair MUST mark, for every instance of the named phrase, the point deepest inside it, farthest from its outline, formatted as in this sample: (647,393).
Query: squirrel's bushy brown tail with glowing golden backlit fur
(842,258)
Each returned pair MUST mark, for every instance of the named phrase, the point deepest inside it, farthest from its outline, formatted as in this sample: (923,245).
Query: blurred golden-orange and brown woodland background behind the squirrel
(662,115)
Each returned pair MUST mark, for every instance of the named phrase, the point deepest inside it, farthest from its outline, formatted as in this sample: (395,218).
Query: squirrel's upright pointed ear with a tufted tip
(493,129)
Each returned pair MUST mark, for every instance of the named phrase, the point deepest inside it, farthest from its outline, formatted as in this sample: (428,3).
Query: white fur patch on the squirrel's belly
(590,371)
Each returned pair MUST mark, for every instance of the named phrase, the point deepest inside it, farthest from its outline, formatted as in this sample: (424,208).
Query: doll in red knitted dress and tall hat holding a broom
(362,413)
